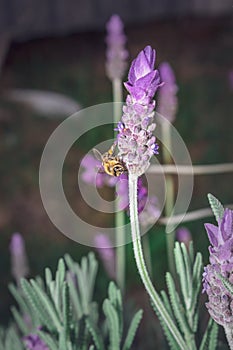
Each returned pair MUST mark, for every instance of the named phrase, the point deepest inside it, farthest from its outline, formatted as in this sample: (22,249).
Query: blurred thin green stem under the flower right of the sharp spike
(169,203)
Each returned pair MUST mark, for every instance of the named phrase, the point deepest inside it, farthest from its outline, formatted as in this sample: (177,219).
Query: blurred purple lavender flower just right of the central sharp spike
(167,99)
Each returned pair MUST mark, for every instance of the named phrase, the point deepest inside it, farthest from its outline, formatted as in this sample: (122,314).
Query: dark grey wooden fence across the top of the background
(24,19)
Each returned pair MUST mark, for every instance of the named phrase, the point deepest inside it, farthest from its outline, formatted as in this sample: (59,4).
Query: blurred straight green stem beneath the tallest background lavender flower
(119,214)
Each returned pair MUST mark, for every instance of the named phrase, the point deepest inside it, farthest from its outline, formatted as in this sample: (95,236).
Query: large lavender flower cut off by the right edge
(220,304)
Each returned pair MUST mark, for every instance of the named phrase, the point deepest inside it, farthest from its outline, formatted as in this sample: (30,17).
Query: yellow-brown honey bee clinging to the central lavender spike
(112,164)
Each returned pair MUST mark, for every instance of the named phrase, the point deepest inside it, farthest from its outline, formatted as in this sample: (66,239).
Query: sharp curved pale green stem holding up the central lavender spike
(138,253)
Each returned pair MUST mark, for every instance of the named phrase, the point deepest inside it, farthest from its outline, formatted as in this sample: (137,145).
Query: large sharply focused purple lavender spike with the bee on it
(136,142)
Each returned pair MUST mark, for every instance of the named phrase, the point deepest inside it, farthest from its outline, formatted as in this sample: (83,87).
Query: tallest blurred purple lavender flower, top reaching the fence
(116,52)
